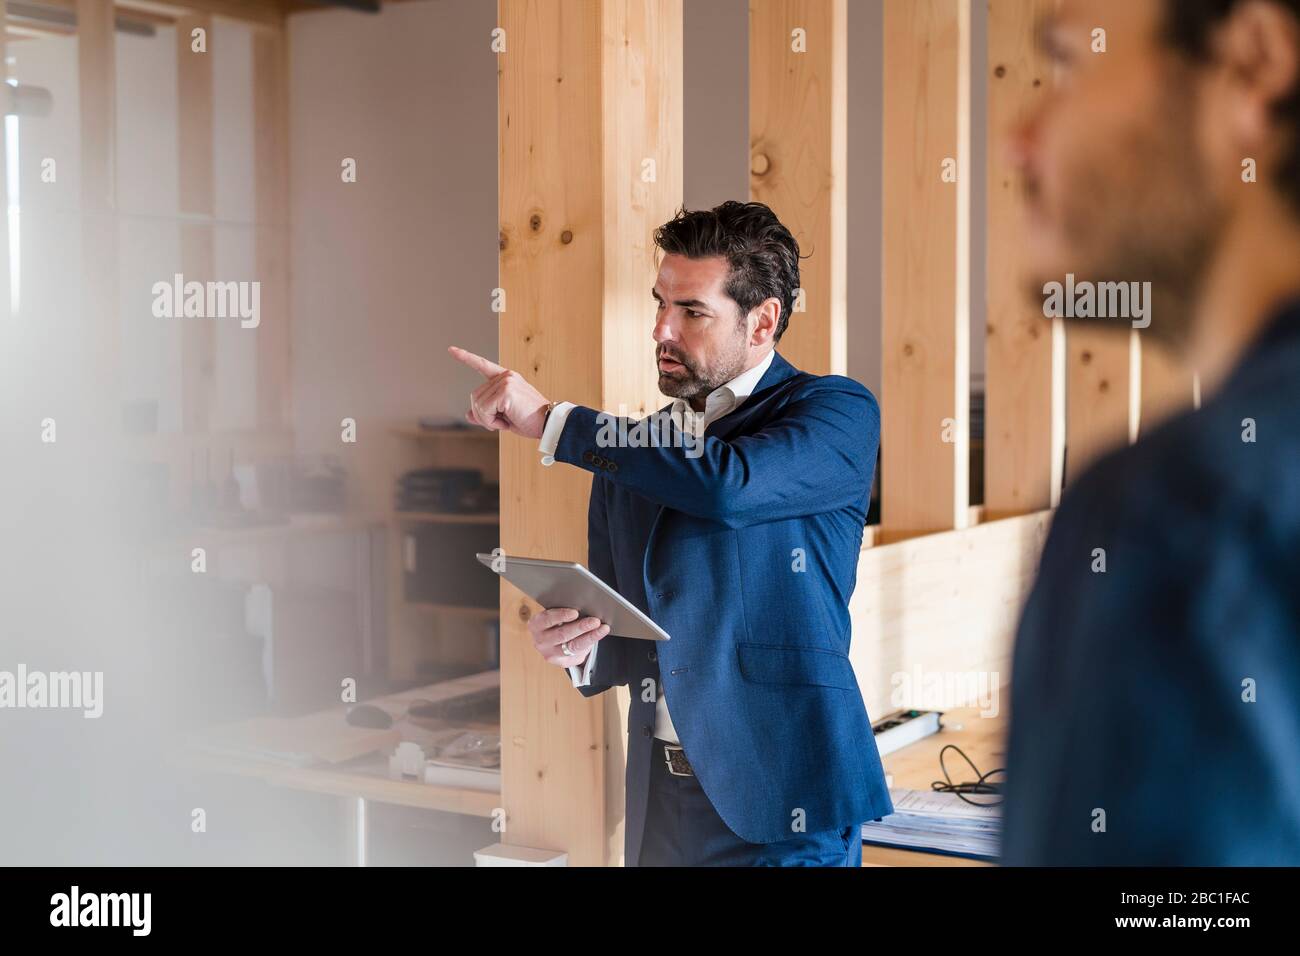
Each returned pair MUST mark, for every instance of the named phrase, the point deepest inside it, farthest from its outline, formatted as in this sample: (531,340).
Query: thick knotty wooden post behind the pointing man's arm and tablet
(577,266)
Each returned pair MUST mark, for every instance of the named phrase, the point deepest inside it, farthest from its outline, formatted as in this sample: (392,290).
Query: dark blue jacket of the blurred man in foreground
(1132,690)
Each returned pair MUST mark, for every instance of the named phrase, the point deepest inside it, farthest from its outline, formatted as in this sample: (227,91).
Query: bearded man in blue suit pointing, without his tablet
(734,518)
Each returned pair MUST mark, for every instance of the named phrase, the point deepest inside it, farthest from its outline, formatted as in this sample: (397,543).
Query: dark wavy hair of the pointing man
(762,256)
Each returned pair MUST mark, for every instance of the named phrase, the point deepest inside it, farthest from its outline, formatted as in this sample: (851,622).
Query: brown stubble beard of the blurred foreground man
(1143,213)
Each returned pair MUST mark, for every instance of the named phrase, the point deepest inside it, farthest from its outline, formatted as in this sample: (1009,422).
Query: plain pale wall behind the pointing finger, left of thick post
(392,270)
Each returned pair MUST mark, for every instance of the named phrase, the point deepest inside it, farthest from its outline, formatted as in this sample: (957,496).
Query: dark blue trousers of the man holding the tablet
(683,829)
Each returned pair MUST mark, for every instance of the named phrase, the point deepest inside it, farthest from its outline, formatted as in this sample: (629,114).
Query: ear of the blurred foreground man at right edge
(1260,45)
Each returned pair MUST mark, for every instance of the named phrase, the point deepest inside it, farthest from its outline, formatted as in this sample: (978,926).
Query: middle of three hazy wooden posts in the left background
(197,191)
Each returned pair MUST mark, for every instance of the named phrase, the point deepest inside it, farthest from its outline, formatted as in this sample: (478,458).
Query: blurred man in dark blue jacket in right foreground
(1156,682)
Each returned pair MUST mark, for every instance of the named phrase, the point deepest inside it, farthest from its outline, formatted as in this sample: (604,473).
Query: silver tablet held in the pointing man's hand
(566,585)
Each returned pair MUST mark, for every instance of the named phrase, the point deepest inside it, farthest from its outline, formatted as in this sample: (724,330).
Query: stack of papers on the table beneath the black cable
(939,824)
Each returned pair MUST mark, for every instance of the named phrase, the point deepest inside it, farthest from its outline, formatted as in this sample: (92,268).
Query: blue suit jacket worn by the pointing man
(757,672)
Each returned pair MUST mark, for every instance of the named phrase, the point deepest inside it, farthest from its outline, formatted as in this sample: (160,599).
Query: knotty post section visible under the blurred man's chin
(1103,393)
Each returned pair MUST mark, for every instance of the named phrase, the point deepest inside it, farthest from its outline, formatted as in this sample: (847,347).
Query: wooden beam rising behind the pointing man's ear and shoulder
(799,107)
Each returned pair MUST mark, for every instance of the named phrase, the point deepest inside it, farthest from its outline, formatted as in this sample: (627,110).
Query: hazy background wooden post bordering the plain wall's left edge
(271,187)
